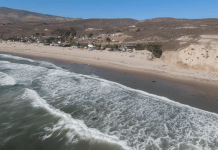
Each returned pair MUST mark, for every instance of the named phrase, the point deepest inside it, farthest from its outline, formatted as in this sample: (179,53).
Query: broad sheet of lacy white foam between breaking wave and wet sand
(134,115)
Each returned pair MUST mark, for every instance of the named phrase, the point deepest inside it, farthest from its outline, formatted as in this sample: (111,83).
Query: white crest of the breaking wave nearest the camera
(78,130)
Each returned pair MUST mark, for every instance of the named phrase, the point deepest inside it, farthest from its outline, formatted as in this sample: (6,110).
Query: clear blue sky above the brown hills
(136,9)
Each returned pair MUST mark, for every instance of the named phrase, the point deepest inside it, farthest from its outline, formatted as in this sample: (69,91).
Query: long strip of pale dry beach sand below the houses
(135,62)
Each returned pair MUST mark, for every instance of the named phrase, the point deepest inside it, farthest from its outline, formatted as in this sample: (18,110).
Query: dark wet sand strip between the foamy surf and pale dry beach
(197,93)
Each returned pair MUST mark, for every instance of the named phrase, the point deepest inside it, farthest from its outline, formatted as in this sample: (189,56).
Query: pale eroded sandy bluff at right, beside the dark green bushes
(202,56)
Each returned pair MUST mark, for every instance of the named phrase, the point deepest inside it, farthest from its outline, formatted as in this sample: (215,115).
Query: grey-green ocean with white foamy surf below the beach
(47,107)
